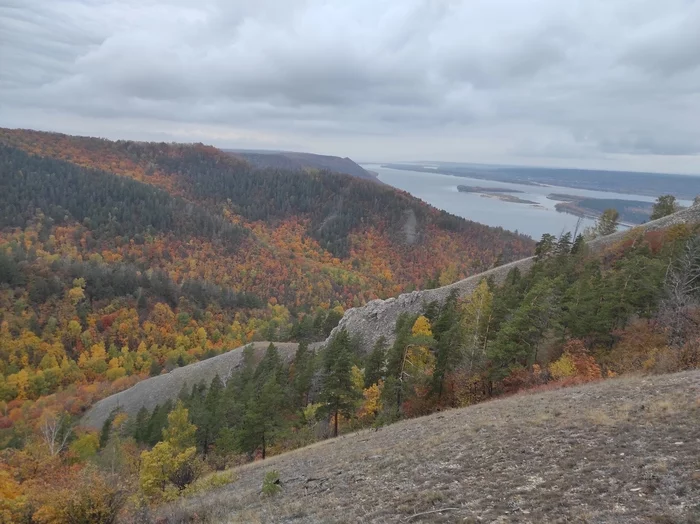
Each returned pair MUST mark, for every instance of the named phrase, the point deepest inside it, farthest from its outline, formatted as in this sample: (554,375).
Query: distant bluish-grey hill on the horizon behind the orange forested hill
(303,161)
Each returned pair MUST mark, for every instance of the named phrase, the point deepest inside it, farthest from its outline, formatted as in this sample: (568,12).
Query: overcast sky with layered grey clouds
(601,84)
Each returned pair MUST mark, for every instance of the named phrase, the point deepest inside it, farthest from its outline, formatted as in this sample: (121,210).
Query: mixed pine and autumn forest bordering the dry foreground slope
(576,317)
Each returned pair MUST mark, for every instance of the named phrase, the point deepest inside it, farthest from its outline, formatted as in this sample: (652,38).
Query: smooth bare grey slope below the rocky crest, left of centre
(157,390)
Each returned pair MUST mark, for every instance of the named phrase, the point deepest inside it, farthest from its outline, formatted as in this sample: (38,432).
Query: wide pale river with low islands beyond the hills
(534,220)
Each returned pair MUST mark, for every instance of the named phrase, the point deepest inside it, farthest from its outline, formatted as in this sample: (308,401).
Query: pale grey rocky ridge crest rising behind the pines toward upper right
(378,317)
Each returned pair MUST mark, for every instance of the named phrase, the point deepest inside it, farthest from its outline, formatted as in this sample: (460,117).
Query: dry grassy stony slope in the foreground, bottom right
(621,451)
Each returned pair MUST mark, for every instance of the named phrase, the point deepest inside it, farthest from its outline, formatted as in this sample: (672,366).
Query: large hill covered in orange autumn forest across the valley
(122,260)
